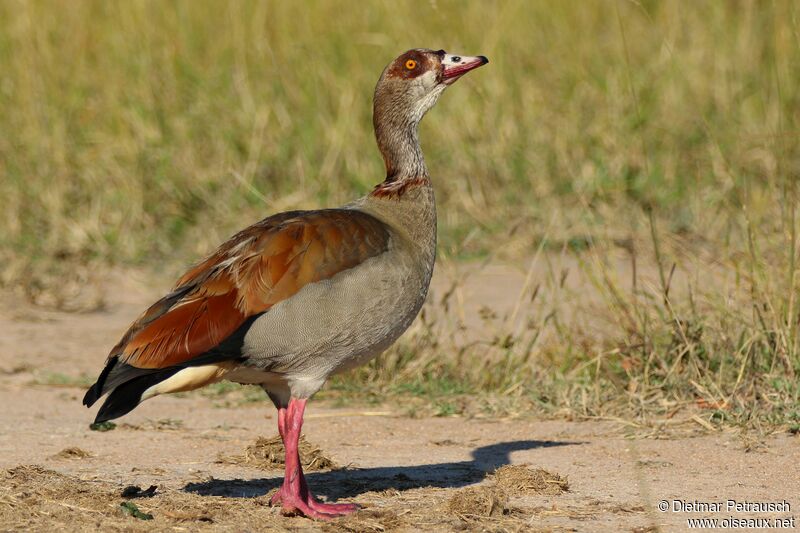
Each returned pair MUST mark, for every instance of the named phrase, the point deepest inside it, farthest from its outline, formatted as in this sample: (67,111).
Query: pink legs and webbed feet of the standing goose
(294,495)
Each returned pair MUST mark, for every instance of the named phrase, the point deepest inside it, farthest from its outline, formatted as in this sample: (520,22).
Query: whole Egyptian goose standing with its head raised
(301,295)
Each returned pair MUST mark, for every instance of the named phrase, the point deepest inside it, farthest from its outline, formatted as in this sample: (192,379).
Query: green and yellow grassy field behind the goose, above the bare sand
(632,165)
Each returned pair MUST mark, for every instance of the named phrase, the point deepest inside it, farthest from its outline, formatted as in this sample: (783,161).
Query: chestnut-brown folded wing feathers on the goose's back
(257,268)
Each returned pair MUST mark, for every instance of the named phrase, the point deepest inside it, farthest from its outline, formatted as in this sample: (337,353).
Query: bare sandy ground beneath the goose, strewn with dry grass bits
(409,474)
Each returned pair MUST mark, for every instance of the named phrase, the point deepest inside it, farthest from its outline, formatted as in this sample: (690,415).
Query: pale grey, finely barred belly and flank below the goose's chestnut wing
(339,323)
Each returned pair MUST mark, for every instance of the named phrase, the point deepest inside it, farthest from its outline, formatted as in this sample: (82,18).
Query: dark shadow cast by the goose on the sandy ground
(350,482)
